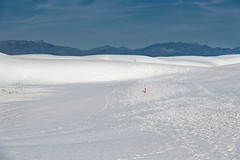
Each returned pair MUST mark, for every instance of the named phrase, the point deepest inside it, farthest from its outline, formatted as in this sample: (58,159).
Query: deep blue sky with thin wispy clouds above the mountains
(131,23)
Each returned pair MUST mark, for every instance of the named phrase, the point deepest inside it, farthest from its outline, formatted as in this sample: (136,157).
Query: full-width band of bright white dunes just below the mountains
(47,69)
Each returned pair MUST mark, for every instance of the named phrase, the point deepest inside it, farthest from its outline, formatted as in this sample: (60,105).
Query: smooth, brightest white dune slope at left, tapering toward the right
(49,69)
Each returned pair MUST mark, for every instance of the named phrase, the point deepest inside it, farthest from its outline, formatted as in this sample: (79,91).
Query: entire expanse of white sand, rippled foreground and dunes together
(190,110)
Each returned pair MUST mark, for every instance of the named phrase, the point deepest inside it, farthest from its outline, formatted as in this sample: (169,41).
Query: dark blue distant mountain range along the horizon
(17,47)
